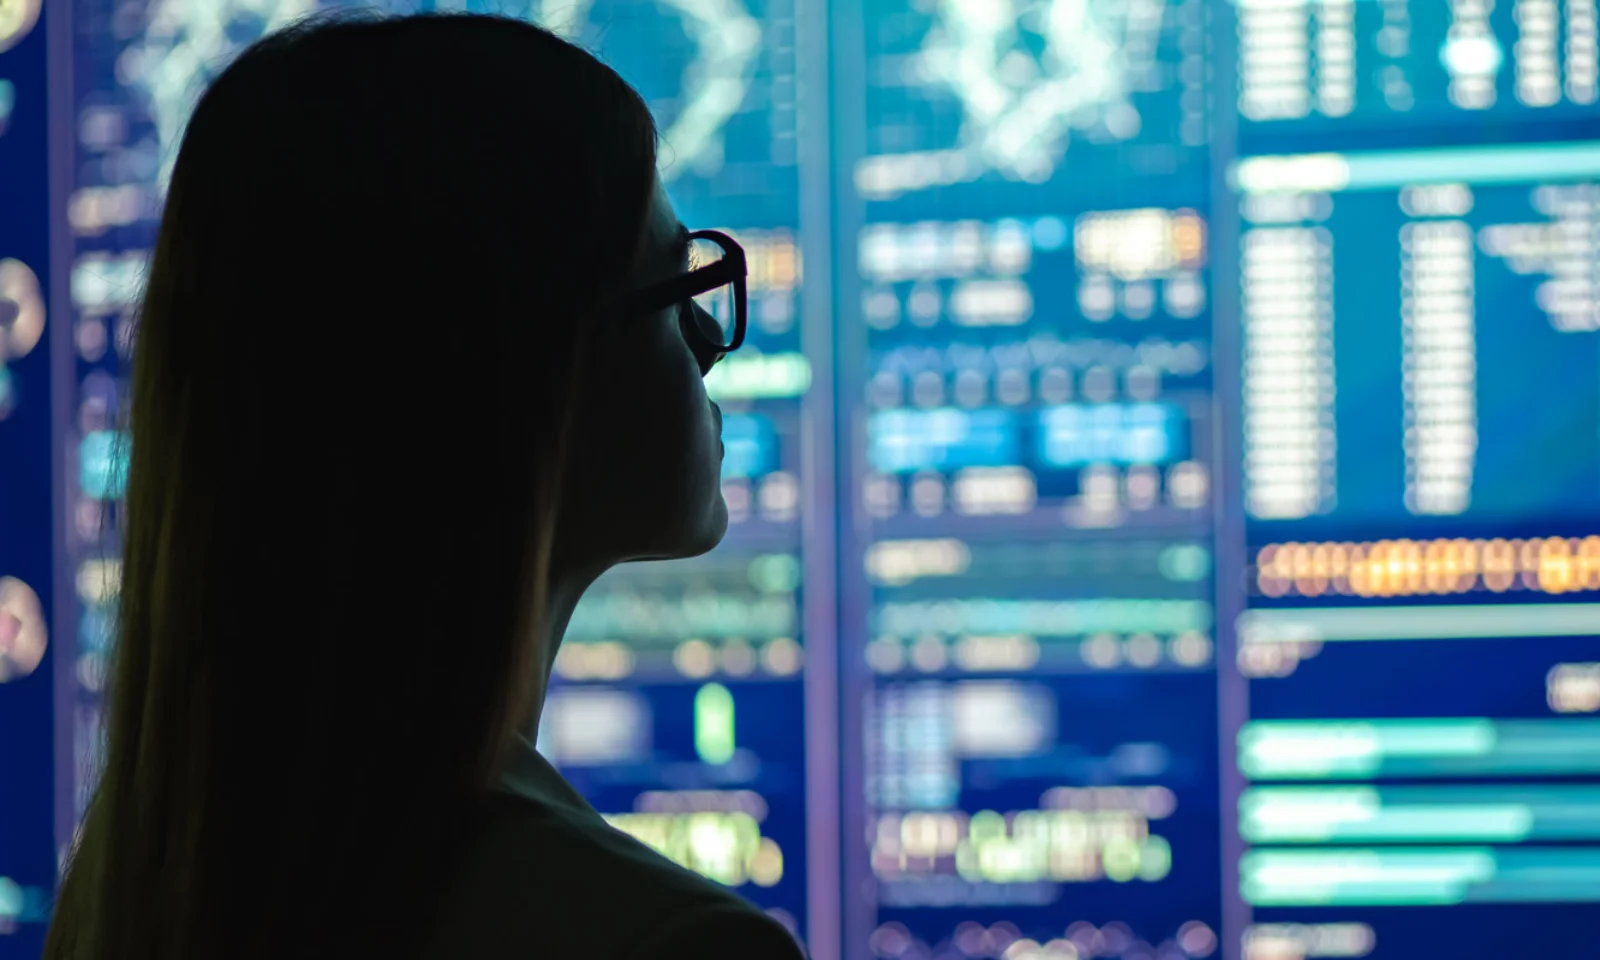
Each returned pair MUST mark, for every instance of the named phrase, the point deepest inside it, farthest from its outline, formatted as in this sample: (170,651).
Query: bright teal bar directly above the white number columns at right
(1388,170)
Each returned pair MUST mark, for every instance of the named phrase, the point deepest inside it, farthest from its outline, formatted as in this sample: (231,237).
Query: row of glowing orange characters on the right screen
(1433,567)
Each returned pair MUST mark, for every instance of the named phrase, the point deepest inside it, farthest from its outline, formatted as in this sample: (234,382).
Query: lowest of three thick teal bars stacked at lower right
(1418,878)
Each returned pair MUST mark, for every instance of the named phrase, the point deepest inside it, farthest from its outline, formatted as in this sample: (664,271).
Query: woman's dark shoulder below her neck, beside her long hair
(540,881)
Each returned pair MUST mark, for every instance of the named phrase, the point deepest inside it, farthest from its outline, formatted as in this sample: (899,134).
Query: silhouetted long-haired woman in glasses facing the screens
(418,361)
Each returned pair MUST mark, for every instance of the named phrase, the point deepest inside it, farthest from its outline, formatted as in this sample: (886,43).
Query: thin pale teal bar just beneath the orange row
(1420,623)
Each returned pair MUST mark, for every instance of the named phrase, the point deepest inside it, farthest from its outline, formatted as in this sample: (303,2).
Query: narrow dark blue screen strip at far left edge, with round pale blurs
(31,662)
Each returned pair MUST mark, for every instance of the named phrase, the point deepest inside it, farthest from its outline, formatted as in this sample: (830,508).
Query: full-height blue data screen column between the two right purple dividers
(1028,287)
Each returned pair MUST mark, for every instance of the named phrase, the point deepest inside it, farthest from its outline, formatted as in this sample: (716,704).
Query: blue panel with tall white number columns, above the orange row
(1423,337)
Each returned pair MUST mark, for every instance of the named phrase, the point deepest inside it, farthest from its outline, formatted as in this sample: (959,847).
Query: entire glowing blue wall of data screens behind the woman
(1164,468)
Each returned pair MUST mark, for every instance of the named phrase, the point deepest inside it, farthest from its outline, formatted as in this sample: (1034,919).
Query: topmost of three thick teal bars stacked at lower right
(1468,746)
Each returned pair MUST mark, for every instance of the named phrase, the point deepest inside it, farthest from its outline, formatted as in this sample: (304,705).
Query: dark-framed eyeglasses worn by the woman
(711,298)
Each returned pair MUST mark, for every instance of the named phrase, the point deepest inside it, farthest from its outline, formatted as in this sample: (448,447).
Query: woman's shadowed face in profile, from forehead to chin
(646,478)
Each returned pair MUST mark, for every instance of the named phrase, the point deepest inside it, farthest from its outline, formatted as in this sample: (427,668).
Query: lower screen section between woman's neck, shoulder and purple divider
(679,713)
